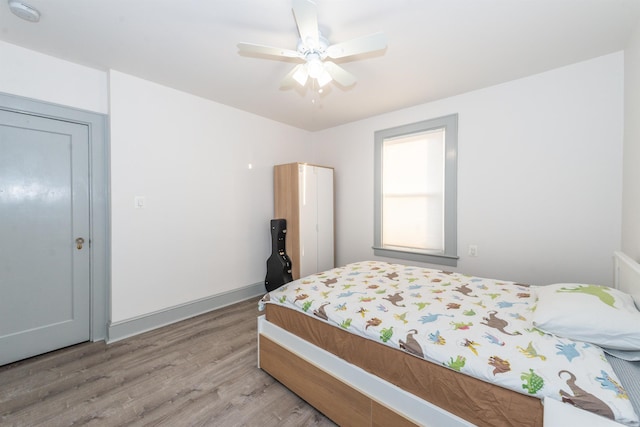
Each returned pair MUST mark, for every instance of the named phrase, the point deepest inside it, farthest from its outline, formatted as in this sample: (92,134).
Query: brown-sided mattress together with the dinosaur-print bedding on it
(447,324)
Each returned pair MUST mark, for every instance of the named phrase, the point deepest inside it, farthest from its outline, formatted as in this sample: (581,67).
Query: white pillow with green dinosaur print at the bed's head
(597,314)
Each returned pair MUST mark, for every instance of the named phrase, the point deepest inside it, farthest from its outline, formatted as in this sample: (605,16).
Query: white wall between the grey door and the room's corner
(204,228)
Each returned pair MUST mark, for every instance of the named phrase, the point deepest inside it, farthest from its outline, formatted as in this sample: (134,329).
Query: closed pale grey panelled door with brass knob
(44,235)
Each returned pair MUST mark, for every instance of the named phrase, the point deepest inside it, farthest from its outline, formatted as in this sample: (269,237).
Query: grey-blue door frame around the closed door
(99,202)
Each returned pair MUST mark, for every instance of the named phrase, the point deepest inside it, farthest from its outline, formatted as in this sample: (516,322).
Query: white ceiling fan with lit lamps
(313,49)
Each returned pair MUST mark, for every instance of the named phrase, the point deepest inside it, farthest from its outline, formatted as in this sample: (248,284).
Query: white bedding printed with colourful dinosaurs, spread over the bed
(476,326)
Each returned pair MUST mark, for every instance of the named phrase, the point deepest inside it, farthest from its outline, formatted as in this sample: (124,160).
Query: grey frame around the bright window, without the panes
(449,256)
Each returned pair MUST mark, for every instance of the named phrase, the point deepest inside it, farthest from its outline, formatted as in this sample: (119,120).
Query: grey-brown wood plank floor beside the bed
(198,372)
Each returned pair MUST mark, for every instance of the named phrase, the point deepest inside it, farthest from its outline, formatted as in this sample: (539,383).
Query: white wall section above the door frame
(33,75)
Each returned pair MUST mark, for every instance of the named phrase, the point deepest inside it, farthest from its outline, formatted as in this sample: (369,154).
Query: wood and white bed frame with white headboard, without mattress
(350,395)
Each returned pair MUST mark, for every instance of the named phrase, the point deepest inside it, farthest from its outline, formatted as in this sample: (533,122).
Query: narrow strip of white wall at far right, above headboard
(631,193)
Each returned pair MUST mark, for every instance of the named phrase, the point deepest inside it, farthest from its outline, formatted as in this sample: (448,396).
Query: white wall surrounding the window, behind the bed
(539,174)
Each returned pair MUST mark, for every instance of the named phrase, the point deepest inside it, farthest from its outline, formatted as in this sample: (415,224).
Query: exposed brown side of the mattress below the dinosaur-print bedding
(476,401)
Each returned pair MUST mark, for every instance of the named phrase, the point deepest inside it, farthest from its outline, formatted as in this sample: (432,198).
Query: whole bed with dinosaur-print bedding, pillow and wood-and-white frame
(376,343)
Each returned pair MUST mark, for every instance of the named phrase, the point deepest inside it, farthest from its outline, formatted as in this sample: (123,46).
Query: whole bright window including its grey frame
(415,191)
